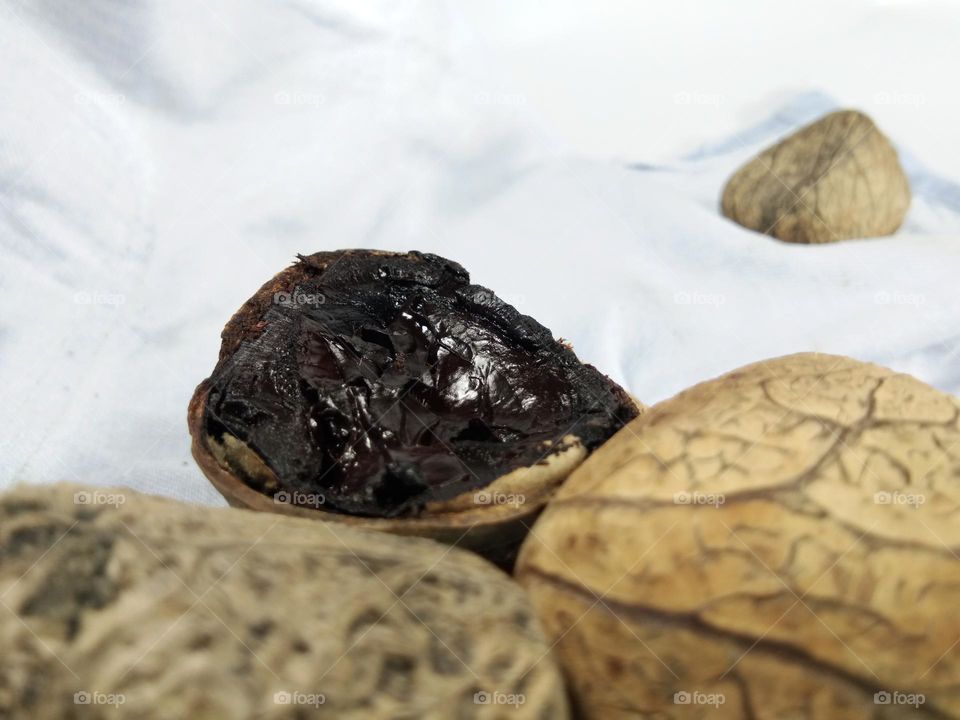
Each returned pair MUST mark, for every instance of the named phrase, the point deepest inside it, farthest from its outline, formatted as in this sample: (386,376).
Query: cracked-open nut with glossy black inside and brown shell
(385,390)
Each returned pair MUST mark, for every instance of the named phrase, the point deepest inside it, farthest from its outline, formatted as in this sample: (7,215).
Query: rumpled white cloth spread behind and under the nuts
(159,160)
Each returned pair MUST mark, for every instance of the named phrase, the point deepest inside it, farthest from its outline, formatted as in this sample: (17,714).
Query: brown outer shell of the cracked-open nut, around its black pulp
(493,530)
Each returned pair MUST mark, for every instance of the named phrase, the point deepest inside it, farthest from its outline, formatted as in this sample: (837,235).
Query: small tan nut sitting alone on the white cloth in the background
(836,179)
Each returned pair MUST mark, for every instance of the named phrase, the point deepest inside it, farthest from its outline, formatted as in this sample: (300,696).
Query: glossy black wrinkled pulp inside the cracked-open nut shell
(384,382)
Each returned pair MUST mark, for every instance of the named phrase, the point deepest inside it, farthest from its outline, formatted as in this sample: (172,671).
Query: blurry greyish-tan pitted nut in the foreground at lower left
(190,612)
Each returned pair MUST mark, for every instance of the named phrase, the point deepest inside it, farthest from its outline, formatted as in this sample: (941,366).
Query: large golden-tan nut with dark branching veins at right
(785,536)
